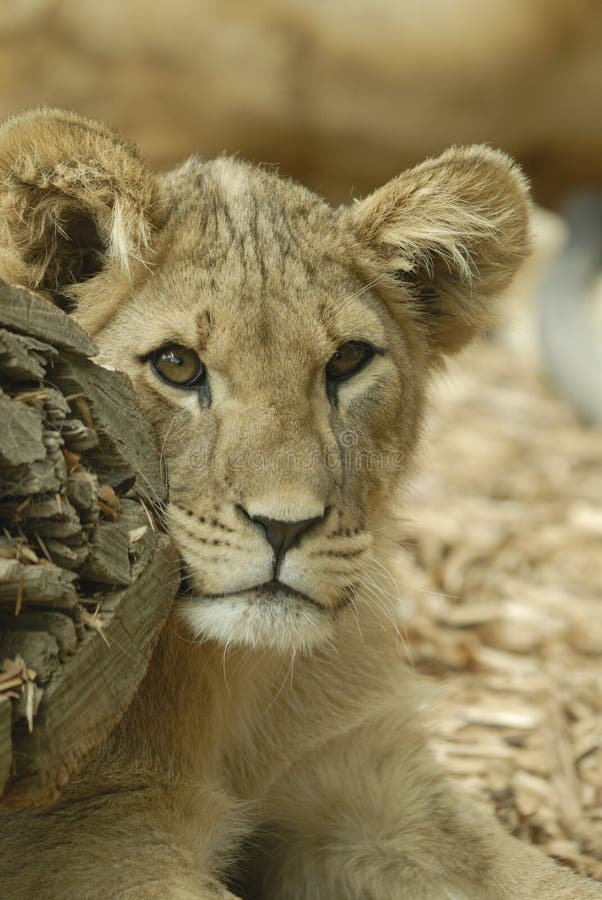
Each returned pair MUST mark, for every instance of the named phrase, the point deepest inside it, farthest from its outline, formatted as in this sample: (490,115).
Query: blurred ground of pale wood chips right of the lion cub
(503,579)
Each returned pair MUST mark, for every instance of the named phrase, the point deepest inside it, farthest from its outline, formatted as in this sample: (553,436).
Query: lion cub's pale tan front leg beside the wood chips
(370,817)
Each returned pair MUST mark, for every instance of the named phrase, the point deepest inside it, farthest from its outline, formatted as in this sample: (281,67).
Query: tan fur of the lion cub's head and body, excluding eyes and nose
(277,743)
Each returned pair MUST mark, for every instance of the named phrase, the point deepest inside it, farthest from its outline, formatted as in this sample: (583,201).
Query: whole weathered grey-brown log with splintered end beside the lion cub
(80,478)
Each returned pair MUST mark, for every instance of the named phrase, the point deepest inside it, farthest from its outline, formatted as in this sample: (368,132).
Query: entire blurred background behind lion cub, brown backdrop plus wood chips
(504,566)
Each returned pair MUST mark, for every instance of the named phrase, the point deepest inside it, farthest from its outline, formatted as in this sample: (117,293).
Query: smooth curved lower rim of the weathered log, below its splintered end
(89,693)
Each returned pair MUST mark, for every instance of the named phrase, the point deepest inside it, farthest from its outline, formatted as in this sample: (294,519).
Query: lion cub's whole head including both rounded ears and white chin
(278,346)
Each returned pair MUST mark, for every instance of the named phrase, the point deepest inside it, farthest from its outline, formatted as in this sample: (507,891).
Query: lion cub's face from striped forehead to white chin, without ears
(284,396)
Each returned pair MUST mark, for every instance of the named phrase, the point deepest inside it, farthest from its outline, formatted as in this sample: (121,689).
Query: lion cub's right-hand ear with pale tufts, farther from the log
(446,237)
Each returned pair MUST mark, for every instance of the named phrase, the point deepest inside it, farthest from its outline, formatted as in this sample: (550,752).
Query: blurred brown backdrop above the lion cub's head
(341,93)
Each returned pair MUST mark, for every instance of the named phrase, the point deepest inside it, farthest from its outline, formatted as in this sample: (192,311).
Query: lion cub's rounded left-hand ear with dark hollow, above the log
(75,202)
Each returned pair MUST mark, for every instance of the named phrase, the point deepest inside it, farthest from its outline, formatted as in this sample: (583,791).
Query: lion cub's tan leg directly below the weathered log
(108,842)
